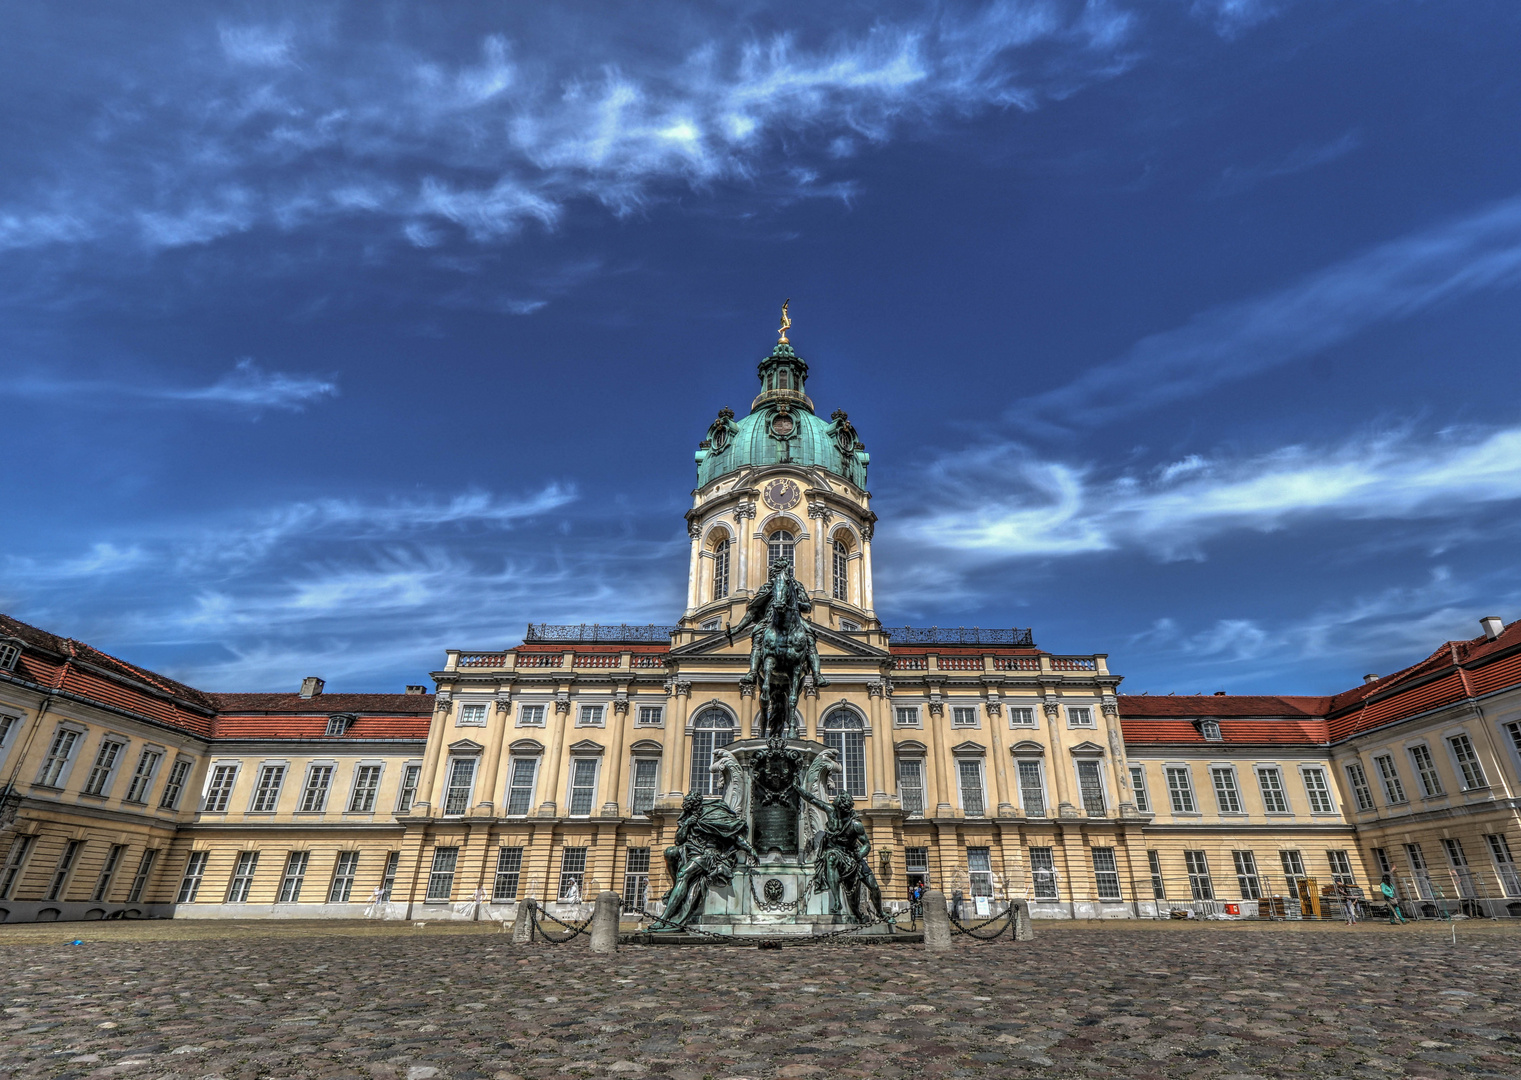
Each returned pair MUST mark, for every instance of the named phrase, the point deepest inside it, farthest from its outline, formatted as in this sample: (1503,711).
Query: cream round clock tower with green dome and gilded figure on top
(781,483)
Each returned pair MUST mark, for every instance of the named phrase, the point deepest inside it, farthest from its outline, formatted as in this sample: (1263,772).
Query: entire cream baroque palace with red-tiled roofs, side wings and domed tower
(554,769)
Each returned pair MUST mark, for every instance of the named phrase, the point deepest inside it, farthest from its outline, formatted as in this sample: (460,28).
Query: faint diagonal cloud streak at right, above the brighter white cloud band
(1391,282)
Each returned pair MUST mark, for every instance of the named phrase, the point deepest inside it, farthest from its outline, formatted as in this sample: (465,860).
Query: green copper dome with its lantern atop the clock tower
(783,428)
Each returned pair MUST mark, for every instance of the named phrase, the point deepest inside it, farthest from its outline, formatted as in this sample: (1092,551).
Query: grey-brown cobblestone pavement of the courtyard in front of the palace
(462,1003)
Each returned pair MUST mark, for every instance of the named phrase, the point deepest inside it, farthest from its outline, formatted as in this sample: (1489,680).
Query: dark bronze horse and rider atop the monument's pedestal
(784,649)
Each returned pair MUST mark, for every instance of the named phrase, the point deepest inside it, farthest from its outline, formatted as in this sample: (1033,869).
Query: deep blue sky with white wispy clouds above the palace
(335,335)
